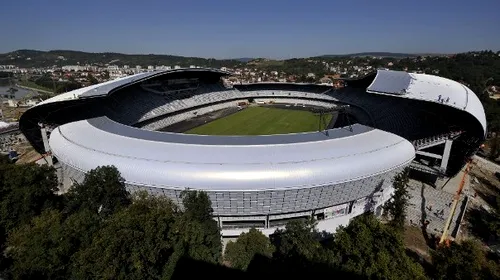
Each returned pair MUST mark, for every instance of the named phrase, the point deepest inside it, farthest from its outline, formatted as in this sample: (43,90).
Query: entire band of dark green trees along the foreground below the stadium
(98,230)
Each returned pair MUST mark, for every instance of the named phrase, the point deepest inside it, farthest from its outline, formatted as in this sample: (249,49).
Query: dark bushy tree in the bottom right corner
(463,261)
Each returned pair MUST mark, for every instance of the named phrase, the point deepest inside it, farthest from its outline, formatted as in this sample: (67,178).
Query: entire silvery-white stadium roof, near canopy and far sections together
(170,160)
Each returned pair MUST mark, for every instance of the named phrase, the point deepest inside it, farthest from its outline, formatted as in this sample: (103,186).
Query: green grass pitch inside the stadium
(261,121)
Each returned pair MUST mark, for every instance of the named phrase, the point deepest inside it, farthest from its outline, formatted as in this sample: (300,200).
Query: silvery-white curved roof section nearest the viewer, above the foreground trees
(231,162)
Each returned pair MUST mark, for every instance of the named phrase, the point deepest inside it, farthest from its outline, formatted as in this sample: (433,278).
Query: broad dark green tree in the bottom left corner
(44,248)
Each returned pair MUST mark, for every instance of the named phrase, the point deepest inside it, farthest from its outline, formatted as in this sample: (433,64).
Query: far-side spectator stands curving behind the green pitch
(146,104)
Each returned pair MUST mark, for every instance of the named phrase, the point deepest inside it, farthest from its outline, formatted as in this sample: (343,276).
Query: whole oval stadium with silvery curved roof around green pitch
(265,153)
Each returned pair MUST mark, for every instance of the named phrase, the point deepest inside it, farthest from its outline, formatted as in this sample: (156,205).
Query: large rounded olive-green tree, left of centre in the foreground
(137,242)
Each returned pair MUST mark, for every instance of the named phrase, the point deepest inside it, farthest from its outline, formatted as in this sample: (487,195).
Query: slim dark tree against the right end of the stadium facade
(397,205)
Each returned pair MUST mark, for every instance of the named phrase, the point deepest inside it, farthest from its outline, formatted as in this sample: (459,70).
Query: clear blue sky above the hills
(251,28)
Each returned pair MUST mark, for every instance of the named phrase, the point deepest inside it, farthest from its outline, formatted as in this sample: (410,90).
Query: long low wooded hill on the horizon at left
(35,58)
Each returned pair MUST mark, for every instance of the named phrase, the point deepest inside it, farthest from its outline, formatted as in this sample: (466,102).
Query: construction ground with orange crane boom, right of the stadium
(445,212)
